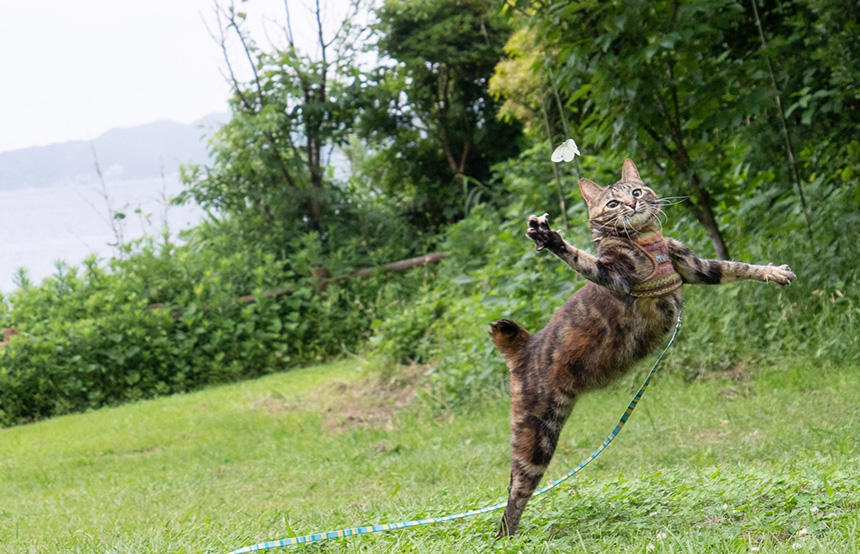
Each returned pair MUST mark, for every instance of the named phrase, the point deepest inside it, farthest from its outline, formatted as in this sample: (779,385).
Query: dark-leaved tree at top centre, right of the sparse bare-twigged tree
(428,111)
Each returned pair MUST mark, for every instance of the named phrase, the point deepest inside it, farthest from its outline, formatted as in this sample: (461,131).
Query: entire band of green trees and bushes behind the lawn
(747,109)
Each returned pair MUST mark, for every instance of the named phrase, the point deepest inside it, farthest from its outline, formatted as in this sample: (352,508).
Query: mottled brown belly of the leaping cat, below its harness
(596,336)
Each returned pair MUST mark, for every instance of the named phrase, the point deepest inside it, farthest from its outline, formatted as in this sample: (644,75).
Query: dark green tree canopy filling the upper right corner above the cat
(692,89)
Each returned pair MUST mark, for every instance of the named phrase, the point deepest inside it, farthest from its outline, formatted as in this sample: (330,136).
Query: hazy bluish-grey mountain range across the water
(130,153)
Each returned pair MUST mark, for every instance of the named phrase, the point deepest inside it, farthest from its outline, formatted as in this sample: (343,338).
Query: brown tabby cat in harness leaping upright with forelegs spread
(627,308)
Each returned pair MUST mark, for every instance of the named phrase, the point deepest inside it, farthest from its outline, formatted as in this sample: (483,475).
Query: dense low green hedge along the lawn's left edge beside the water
(167,319)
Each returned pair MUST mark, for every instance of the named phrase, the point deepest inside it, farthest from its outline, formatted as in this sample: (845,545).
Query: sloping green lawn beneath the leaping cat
(726,465)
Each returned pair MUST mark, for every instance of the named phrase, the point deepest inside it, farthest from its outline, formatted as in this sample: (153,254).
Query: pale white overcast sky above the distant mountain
(72,69)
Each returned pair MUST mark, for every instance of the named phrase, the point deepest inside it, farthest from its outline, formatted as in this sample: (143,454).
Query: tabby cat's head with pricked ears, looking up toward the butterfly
(628,207)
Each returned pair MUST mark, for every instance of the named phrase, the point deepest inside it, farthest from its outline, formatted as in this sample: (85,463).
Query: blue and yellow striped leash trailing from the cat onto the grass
(316,537)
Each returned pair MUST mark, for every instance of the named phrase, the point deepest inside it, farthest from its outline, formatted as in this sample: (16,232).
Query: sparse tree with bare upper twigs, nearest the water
(269,165)
